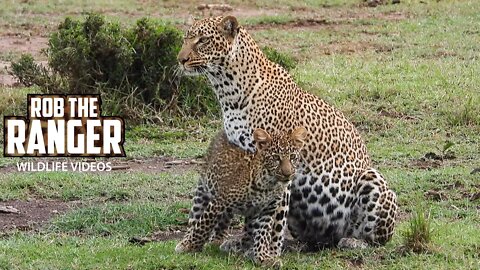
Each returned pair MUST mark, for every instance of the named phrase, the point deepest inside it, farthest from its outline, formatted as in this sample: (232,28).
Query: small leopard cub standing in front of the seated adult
(255,185)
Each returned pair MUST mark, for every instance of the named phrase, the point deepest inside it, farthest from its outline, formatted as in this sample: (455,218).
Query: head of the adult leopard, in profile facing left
(206,44)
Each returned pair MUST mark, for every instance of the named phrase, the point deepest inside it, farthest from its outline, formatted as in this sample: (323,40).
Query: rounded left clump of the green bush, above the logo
(90,54)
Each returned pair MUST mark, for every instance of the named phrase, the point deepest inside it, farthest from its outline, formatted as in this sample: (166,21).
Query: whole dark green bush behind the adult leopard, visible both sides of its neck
(134,69)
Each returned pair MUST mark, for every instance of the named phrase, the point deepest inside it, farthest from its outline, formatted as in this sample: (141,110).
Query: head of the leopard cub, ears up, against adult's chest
(280,152)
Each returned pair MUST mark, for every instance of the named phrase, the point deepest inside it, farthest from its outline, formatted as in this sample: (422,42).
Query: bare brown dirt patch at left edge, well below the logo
(32,214)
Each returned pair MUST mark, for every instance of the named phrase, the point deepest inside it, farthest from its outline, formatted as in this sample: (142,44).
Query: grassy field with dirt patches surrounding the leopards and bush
(406,74)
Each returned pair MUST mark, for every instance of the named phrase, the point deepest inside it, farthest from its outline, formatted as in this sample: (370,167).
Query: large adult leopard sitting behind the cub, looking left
(337,198)
